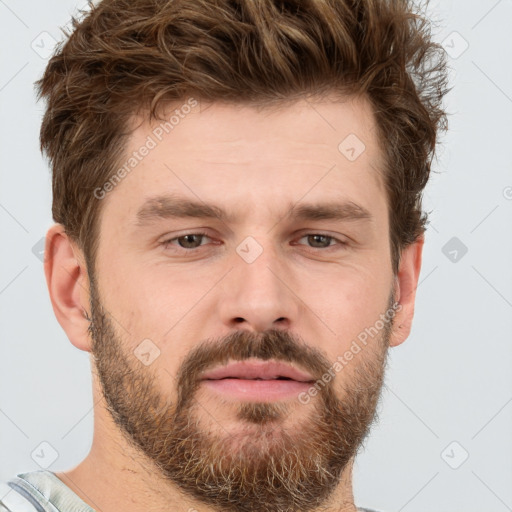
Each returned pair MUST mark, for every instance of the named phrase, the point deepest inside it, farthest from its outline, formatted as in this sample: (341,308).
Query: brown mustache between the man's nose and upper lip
(241,345)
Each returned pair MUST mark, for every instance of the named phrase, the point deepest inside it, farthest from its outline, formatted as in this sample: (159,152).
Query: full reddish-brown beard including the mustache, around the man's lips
(262,465)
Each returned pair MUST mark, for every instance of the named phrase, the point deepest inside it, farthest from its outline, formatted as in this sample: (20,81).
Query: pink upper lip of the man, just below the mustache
(258,370)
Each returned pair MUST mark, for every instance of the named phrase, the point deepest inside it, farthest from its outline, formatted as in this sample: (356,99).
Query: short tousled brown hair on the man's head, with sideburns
(135,56)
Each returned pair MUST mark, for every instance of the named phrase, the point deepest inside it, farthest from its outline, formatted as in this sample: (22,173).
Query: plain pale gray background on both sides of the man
(444,439)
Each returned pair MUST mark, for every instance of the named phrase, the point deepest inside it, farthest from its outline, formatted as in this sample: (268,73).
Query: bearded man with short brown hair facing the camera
(237,195)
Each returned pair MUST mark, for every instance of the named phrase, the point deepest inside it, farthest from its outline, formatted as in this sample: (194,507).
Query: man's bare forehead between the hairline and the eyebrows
(323,148)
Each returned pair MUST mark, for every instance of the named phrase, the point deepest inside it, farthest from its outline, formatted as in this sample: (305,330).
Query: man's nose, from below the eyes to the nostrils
(258,296)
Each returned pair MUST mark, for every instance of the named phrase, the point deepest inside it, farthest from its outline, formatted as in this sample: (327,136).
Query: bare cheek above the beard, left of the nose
(162,305)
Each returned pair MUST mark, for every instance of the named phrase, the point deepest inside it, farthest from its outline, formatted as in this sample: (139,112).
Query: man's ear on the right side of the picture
(406,283)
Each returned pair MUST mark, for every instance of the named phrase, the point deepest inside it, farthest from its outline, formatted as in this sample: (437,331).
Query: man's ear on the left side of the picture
(68,285)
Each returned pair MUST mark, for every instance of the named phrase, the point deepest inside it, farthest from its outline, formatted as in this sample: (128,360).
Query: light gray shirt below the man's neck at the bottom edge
(43,491)
